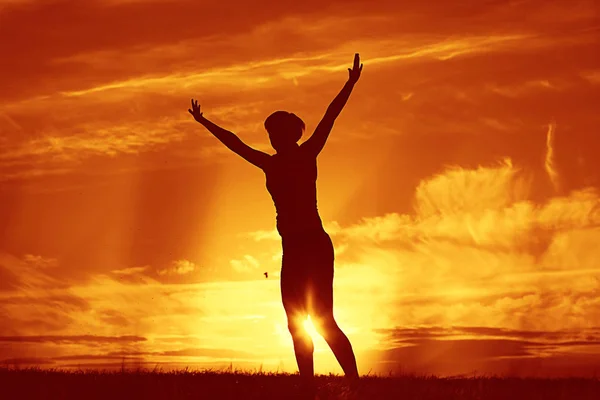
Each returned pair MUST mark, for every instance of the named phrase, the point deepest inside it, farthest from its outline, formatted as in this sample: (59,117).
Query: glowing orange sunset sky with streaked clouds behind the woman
(460,185)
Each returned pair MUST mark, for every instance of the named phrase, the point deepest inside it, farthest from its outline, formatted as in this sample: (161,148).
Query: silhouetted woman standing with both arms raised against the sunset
(308,257)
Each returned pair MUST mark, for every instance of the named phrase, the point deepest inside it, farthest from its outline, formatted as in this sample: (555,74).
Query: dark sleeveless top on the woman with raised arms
(291,179)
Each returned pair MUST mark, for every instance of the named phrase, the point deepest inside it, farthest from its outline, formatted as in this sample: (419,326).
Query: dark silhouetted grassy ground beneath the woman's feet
(151,385)
